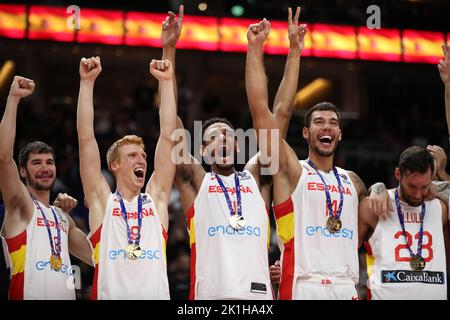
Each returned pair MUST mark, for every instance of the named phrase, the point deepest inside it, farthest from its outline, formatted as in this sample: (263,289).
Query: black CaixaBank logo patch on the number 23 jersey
(408,276)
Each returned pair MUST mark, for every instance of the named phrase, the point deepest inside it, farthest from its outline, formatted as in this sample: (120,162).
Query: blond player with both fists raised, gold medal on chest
(128,228)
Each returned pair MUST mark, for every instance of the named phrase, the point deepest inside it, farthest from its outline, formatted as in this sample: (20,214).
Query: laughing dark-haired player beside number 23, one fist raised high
(316,203)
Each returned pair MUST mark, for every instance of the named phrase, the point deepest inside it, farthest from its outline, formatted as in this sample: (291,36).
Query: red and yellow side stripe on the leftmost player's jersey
(17,249)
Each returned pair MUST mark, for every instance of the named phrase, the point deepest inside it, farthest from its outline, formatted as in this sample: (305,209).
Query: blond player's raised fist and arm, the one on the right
(160,184)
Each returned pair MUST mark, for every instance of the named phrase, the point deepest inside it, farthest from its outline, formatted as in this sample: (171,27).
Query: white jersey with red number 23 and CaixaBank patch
(388,258)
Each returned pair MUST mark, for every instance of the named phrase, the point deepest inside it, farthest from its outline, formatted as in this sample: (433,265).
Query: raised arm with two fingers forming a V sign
(284,99)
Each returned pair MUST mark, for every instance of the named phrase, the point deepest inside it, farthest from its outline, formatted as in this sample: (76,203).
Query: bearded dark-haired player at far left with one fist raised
(37,236)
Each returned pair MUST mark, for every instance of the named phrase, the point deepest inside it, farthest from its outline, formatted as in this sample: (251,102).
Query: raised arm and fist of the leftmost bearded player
(18,205)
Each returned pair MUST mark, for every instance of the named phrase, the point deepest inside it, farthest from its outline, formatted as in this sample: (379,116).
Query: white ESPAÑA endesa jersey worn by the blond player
(118,277)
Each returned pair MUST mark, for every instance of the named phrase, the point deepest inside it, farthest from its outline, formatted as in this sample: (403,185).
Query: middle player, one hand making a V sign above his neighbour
(226,210)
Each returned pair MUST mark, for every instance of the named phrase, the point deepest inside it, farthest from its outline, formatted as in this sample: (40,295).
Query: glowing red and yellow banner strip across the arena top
(218,34)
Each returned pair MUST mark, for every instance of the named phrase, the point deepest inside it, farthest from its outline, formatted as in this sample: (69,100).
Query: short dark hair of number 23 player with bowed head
(415,159)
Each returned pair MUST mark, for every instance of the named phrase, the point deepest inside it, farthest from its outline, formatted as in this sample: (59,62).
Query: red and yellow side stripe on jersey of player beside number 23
(284,216)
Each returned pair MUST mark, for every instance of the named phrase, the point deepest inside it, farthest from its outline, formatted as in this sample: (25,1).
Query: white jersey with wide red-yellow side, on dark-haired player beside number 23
(309,252)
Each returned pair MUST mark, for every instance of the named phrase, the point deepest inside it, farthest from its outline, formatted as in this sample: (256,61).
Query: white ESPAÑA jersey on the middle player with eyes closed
(228,263)
